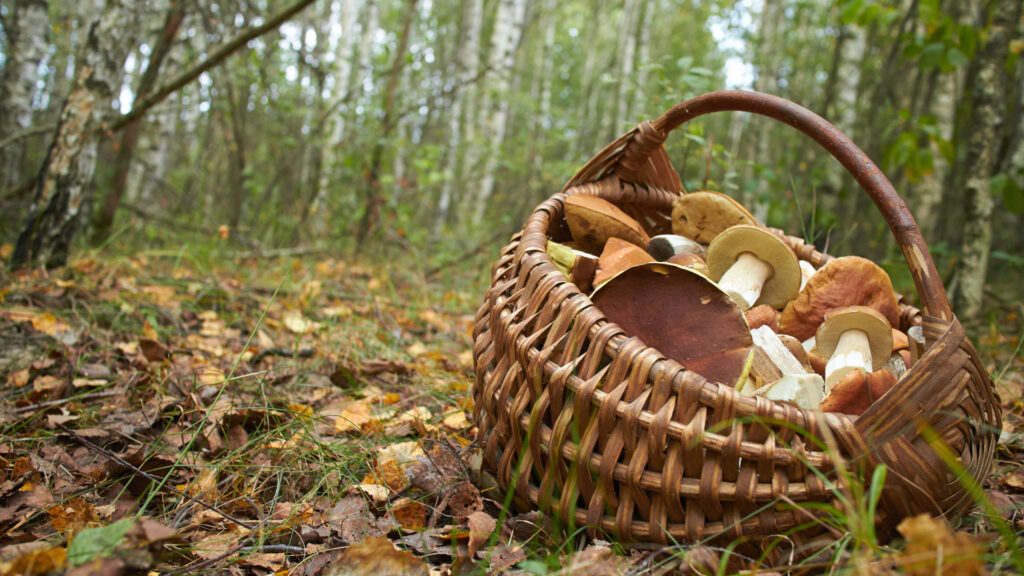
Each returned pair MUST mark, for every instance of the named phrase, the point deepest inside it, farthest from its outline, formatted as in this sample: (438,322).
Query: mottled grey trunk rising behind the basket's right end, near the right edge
(988,103)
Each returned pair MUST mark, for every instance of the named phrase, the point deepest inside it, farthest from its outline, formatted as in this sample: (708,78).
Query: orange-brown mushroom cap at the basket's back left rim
(593,221)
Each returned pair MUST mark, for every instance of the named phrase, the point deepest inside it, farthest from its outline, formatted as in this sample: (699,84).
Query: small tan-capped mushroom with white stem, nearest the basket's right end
(854,339)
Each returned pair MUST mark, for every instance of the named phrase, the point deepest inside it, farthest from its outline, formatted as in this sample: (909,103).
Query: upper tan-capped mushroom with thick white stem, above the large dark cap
(754,267)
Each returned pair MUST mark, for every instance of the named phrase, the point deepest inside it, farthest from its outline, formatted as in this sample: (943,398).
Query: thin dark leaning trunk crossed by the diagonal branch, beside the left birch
(130,139)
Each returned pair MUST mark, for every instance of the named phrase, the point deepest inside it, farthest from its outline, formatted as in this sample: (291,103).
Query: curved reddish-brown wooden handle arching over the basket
(898,216)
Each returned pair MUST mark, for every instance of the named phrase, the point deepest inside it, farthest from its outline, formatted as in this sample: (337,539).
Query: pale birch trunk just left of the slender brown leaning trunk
(346,51)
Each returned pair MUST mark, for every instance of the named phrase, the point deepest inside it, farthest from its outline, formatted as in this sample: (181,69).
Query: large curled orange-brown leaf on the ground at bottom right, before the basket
(931,544)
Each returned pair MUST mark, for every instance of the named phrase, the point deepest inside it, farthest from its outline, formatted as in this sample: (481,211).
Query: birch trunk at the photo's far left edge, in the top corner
(27,28)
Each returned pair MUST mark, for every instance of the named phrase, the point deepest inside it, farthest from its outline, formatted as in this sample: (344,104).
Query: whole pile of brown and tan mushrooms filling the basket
(731,301)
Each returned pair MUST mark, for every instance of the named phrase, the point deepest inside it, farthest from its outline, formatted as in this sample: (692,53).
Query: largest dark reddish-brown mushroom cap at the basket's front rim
(684,315)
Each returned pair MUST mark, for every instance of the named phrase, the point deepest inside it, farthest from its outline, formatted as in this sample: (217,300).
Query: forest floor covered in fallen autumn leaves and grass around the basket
(227,415)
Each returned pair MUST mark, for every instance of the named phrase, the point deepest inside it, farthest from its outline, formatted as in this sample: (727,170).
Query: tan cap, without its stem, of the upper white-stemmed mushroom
(783,286)
